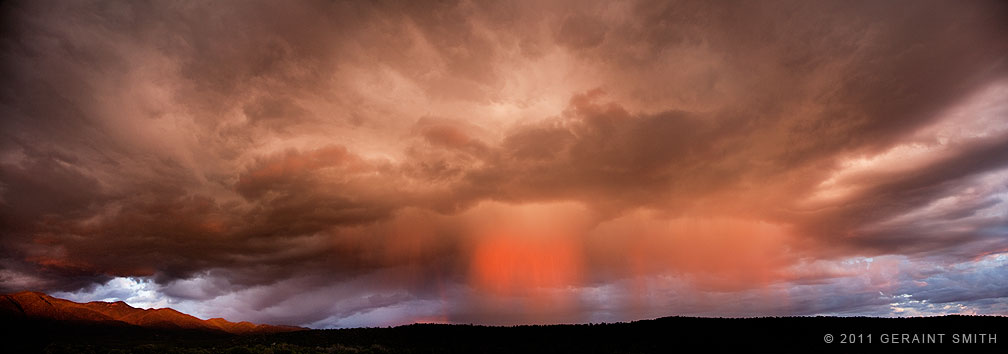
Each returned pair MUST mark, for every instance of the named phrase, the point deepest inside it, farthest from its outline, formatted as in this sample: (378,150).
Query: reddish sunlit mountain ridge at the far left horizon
(38,306)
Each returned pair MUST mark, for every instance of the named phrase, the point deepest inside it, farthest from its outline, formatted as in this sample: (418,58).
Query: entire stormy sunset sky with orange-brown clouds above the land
(348,164)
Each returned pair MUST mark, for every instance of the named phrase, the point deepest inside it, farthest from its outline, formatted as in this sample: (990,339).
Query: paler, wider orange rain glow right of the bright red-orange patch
(721,254)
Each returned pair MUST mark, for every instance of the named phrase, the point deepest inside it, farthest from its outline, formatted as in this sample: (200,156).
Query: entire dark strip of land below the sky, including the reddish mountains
(667,335)
